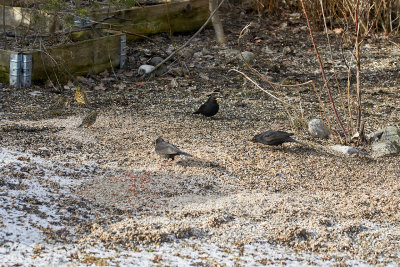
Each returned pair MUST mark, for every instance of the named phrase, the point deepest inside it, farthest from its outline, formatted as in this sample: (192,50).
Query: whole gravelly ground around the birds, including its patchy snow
(102,196)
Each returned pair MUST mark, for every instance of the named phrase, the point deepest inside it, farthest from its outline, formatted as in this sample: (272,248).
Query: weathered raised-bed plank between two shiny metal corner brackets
(80,58)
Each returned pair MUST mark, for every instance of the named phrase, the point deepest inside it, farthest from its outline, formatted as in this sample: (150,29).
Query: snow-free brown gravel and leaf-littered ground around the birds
(232,192)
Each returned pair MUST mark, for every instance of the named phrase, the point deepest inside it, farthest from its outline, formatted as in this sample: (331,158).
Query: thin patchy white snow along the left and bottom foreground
(30,190)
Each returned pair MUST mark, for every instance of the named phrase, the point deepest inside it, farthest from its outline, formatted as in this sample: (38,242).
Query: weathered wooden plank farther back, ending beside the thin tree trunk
(175,16)
